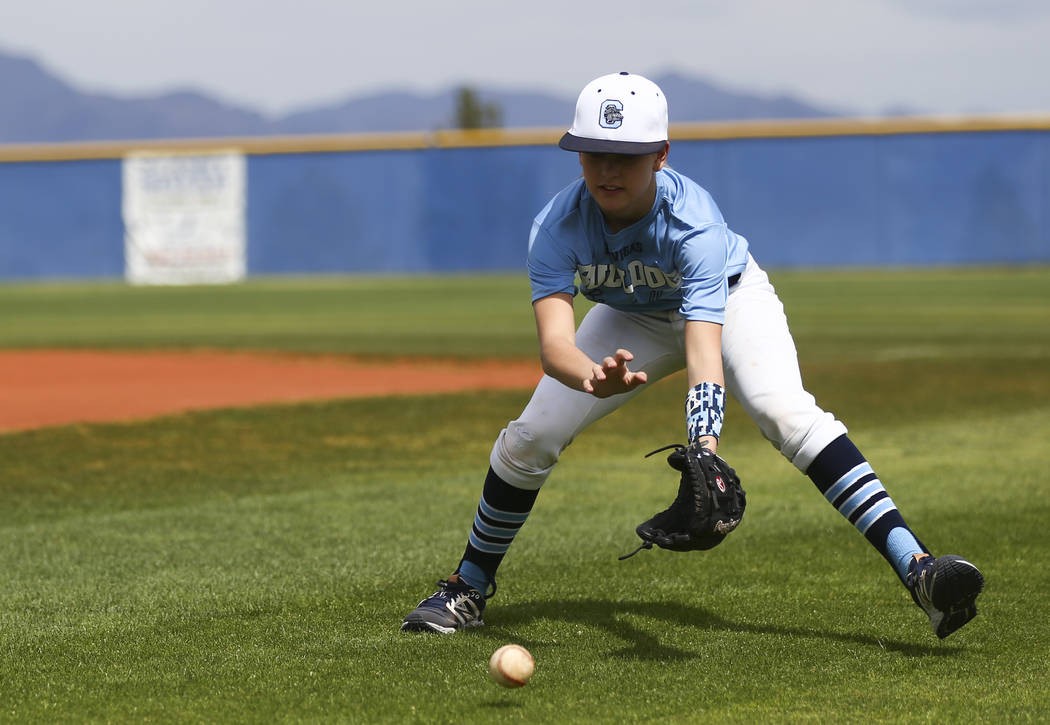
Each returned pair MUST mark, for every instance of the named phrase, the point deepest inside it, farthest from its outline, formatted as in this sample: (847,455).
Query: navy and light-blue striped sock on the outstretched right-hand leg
(850,485)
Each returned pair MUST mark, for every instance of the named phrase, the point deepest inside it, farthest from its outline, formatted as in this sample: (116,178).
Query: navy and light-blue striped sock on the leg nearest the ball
(501,513)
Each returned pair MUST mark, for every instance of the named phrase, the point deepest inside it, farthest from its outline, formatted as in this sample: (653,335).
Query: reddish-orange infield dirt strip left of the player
(41,388)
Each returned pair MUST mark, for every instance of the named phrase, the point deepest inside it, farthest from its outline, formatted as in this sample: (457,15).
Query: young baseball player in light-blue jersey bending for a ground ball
(676,288)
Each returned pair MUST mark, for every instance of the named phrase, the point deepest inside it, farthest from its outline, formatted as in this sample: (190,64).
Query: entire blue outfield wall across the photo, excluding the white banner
(846,200)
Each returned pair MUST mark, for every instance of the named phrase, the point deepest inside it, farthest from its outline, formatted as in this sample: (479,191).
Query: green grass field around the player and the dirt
(254,566)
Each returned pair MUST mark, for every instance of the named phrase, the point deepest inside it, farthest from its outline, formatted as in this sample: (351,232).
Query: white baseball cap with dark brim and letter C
(619,114)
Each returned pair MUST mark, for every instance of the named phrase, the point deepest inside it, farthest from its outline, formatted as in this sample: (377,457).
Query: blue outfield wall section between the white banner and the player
(456,210)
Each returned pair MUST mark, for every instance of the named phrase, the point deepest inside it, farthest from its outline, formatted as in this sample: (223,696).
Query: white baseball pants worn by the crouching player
(760,362)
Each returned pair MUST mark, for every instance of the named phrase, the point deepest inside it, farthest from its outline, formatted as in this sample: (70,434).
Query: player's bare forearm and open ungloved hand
(563,361)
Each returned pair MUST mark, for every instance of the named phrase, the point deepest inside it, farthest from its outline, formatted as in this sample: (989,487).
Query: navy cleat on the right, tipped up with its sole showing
(947,589)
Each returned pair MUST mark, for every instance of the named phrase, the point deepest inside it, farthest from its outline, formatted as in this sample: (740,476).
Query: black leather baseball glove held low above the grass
(709,506)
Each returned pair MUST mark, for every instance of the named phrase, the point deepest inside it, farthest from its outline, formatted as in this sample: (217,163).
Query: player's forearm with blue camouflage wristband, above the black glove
(706,403)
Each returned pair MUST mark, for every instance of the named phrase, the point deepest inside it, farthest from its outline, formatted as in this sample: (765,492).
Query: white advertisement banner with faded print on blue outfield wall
(184,219)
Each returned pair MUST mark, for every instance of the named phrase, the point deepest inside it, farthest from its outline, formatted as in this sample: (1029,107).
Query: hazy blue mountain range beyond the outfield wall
(40,108)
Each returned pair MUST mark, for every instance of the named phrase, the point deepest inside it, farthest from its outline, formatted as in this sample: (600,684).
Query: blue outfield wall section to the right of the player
(888,201)
